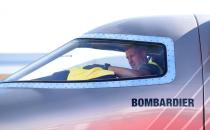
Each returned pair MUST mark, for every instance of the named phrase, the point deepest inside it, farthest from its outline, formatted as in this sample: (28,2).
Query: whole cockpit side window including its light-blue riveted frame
(103,60)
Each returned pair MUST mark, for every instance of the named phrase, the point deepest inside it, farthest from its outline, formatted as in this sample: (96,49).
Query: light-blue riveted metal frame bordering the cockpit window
(168,77)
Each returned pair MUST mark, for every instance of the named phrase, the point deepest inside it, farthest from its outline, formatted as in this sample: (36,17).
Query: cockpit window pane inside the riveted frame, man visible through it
(97,60)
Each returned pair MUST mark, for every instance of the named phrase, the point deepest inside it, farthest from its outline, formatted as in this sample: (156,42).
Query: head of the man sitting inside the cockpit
(136,56)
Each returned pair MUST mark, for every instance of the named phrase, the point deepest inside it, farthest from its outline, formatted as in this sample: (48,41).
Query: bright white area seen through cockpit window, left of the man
(79,57)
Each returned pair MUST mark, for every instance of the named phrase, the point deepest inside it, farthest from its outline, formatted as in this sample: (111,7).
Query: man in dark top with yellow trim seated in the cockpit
(141,65)
